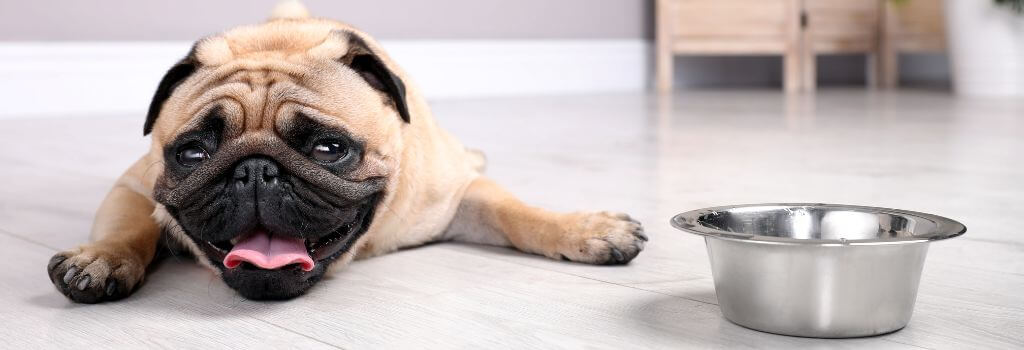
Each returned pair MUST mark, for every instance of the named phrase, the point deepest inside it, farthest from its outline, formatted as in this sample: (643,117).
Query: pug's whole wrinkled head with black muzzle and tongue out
(279,144)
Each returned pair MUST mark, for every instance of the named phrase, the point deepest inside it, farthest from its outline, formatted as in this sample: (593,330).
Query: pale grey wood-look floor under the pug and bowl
(919,151)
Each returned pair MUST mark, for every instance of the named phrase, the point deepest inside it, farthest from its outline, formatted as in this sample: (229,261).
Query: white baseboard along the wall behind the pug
(104,78)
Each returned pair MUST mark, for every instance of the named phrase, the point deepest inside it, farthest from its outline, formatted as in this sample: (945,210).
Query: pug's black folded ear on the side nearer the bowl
(363,60)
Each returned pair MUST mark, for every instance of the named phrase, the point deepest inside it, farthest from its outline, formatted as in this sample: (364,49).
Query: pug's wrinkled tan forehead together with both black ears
(261,76)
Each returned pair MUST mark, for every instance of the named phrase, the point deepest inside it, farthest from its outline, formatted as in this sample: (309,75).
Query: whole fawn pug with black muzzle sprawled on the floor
(285,150)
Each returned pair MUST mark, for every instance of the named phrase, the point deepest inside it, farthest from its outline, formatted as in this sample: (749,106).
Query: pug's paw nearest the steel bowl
(603,239)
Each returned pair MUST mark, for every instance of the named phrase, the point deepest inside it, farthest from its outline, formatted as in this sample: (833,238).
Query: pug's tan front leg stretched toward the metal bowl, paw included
(489,214)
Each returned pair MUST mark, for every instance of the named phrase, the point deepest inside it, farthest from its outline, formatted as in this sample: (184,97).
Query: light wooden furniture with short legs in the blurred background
(797,30)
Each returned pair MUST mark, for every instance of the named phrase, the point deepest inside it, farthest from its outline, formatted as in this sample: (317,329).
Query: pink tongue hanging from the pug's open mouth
(270,252)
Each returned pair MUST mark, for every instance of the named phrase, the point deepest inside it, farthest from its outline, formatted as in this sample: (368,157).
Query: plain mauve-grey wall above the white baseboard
(189,20)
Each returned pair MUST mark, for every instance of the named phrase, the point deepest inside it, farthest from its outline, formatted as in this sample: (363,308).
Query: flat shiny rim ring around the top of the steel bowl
(947,229)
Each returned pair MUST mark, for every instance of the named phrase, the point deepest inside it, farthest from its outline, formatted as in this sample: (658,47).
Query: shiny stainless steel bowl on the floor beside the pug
(815,270)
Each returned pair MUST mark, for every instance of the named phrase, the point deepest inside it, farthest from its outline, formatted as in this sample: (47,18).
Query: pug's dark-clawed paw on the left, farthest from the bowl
(96,274)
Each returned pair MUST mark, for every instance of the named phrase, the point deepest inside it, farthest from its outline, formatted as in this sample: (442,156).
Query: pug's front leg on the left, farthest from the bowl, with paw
(124,242)
